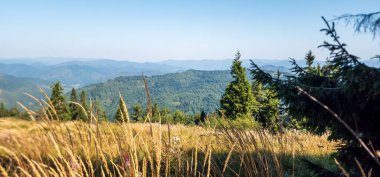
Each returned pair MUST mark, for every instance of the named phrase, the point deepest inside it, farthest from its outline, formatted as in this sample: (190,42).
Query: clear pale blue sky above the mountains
(152,30)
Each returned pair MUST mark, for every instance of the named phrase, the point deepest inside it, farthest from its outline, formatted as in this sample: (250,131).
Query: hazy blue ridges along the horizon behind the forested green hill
(81,72)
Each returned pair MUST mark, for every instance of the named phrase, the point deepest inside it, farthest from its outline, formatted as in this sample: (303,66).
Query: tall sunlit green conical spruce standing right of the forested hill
(237,100)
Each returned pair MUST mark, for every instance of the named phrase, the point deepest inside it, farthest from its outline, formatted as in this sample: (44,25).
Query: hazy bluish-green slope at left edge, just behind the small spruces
(12,89)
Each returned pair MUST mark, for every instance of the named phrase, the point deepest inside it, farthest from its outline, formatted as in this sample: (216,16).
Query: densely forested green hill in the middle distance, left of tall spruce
(190,91)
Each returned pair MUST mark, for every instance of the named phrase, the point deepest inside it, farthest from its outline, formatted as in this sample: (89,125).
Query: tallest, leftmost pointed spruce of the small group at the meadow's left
(59,102)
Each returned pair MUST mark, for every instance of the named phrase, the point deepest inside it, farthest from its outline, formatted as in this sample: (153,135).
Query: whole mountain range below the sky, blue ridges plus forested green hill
(24,75)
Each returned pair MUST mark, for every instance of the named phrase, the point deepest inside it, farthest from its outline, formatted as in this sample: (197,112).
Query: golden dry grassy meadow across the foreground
(53,148)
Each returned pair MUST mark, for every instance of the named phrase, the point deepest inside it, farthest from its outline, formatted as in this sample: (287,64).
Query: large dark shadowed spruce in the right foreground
(349,88)
